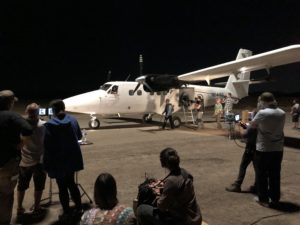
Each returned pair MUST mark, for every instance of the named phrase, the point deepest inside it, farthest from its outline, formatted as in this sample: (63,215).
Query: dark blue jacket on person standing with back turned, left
(62,152)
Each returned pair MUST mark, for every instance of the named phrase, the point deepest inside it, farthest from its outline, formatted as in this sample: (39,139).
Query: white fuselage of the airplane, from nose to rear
(104,102)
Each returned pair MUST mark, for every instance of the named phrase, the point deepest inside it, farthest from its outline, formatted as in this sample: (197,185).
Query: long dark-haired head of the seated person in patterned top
(105,191)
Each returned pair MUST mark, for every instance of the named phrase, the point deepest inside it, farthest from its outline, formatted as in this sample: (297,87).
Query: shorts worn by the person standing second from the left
(39,177)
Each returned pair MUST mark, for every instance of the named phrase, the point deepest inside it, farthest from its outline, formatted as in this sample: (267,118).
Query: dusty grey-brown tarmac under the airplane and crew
(129,150)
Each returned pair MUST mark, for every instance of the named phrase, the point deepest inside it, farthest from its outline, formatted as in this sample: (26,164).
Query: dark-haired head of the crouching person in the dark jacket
(169,159)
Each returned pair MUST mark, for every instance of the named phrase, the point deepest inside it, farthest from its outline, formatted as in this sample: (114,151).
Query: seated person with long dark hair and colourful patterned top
(108,211)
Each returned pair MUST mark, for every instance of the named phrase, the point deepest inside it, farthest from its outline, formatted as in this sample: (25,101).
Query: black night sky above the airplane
(45,46)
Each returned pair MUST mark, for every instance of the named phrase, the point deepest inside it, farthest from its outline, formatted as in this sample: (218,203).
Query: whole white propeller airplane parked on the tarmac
(147,94)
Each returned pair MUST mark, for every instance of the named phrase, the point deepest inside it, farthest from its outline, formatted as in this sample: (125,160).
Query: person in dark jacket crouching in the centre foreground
(176,203)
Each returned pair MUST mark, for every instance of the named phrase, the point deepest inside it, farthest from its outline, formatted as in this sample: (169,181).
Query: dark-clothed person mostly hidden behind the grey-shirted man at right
(248,156)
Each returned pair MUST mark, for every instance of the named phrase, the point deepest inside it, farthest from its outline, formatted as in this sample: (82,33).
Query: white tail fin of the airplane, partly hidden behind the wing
(238,85)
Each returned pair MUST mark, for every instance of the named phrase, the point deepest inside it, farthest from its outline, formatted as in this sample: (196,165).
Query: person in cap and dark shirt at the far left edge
(12,125)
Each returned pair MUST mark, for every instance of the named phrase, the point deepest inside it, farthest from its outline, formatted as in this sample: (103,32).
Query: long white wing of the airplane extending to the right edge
(267,60)
